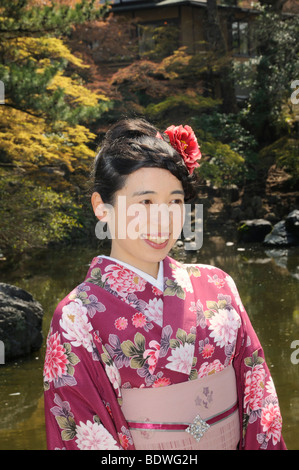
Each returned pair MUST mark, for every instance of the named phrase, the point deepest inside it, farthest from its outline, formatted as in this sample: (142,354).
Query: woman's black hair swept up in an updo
(129,145)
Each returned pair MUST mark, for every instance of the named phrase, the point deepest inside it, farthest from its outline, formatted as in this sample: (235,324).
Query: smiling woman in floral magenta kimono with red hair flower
(148,353)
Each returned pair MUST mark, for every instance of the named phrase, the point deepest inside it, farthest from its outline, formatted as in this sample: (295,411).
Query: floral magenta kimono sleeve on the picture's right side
(260,415)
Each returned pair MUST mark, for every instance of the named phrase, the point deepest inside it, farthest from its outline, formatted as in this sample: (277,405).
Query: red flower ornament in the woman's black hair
(183,139)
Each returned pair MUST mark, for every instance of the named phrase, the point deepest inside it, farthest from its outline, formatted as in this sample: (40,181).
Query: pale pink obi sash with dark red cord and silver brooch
(198,414)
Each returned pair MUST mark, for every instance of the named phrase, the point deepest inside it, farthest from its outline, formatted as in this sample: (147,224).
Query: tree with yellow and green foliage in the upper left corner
(46,101)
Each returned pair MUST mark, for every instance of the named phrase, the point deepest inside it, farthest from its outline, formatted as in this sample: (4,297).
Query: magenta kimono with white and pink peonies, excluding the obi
(116,332)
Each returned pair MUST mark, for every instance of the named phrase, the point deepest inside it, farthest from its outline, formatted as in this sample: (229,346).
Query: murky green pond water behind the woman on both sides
(267,280)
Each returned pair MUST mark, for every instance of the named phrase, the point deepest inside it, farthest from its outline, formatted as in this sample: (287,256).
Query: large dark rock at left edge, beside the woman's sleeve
(20,321)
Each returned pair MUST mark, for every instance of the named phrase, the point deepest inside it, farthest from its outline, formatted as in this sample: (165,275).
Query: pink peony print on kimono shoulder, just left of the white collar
(122,280)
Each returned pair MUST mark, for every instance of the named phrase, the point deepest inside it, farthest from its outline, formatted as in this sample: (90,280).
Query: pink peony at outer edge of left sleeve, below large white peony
(56,359)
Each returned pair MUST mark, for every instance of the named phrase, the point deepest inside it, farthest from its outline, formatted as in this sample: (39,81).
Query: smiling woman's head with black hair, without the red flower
(138,172)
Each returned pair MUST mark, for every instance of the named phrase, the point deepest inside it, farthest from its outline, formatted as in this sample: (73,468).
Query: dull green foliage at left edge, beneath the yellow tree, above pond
(33,216)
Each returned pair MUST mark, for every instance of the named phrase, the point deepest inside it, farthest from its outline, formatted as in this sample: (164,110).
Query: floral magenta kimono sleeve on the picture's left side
(82,411)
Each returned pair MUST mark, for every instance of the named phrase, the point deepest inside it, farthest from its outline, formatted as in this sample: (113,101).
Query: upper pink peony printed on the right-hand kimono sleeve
(254,389)
